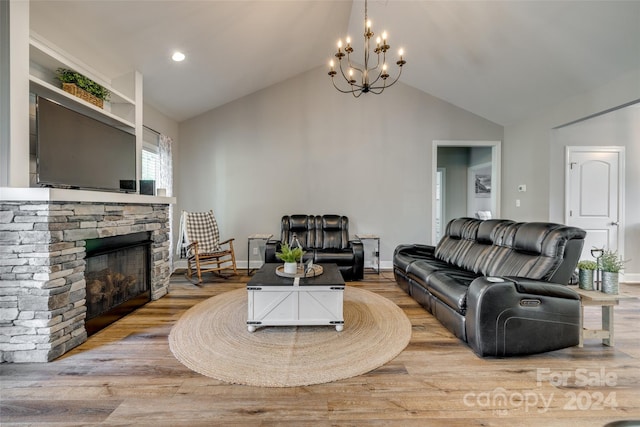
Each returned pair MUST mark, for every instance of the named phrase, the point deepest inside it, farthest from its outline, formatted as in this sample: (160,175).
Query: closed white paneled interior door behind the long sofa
(595,188)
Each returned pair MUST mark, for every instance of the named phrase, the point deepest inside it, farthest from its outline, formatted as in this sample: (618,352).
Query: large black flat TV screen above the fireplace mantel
(77,151)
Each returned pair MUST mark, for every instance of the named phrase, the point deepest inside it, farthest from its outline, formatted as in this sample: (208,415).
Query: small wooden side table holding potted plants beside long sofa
(607,302)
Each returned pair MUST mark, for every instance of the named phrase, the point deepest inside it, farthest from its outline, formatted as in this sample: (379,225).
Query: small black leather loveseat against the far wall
(325,240)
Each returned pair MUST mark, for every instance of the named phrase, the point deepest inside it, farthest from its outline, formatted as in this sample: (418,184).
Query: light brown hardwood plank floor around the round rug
(126,375)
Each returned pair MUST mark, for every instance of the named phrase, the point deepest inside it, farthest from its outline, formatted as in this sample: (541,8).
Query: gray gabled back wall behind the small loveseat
(302,147)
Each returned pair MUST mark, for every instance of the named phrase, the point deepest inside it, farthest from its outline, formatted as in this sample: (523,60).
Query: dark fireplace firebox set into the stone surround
(117,278)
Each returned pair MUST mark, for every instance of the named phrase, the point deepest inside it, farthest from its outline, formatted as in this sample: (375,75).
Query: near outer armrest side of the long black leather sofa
(515,316)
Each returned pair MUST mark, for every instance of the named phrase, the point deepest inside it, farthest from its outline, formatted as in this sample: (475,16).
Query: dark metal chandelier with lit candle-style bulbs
(370,79)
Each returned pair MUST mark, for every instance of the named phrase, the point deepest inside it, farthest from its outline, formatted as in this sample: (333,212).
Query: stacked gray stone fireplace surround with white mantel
(42,264)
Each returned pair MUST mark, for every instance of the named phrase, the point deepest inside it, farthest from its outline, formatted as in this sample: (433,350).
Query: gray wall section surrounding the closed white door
(530,157)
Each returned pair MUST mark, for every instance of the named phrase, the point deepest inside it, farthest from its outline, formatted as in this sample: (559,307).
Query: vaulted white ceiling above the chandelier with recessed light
(502,60)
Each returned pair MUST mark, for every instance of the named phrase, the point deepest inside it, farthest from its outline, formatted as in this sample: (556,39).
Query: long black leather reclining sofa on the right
(498,285)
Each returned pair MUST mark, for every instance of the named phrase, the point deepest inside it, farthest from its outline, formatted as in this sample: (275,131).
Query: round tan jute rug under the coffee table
(212,338)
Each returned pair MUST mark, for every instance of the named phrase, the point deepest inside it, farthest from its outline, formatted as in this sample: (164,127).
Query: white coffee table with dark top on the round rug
(275,301)
